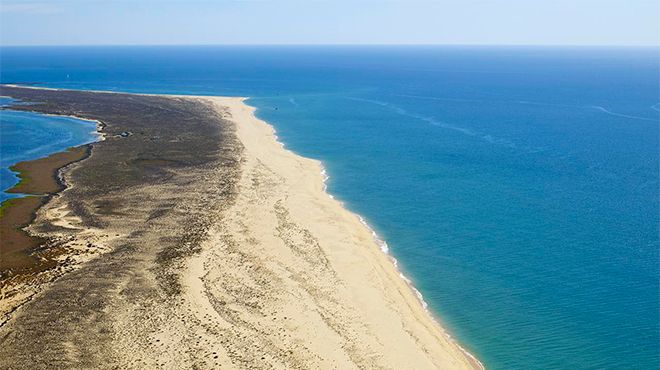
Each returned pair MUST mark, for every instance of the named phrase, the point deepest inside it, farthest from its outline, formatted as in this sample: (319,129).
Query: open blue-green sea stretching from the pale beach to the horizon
(518,187)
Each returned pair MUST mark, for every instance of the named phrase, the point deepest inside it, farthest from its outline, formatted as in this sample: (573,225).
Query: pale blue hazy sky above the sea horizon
(499,22)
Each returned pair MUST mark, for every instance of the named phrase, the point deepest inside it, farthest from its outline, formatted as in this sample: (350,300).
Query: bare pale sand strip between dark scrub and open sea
(289,267)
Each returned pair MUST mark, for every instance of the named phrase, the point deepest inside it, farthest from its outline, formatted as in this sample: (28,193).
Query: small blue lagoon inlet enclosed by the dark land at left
(27,135)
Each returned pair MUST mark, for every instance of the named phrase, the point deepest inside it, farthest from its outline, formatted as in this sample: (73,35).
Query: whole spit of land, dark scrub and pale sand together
(207,246)
